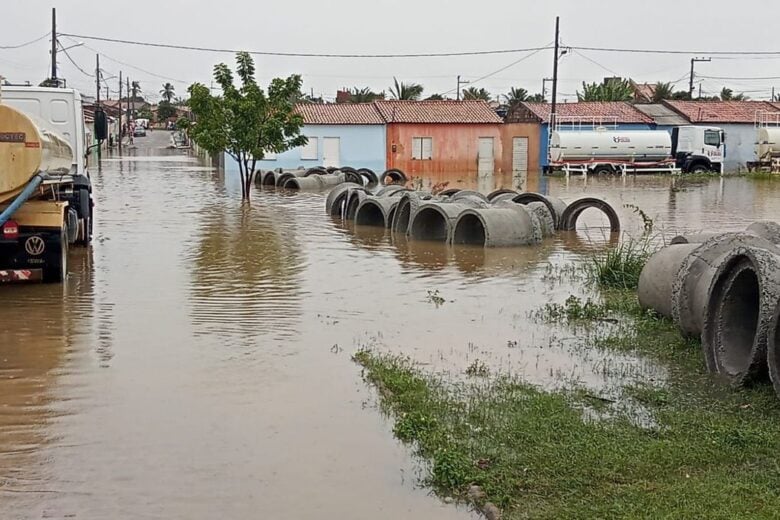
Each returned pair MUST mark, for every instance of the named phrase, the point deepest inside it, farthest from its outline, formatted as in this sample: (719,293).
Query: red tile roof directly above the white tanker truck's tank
(590,111)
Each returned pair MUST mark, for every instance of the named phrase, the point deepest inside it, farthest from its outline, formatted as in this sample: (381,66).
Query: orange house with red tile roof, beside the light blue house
(456,138)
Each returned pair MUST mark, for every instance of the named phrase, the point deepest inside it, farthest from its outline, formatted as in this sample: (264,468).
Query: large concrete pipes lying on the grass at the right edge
(725,290)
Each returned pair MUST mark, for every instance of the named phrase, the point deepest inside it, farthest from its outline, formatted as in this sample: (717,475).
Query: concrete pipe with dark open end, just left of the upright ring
(503,225)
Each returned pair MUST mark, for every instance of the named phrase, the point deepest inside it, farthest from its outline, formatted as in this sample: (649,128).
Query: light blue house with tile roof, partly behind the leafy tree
(342,134)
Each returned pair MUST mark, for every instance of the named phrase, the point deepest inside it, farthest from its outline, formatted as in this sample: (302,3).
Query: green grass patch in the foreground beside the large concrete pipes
(711,452)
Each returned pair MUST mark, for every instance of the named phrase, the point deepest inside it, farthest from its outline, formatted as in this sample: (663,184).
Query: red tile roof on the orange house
(446,111)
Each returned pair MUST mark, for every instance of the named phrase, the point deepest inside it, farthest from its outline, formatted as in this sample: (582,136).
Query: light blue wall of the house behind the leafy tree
(361,146)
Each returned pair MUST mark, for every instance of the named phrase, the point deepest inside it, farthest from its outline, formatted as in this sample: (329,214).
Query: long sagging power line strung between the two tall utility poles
(304,54)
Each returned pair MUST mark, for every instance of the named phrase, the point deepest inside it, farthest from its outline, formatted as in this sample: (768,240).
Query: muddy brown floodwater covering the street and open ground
(197,362)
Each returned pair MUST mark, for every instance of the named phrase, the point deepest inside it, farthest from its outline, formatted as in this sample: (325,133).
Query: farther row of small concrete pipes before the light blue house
(321,178)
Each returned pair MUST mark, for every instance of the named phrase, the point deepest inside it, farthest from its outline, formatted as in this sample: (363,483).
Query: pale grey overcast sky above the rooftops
(400,26)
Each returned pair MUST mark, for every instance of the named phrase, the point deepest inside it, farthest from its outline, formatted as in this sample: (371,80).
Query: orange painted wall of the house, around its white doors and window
(455,149)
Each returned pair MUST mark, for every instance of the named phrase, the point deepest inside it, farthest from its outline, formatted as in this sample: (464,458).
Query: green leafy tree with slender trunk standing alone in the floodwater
(246,122)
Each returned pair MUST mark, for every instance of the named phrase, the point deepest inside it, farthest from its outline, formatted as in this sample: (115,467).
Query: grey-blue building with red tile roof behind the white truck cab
(737,118)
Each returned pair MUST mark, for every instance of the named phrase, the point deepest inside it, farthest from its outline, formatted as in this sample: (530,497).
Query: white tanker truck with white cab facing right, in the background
(687,149)
